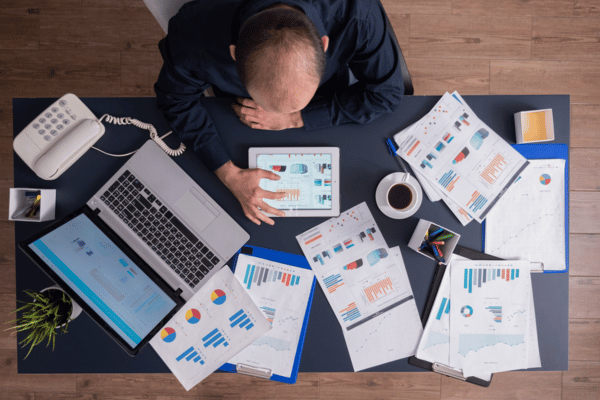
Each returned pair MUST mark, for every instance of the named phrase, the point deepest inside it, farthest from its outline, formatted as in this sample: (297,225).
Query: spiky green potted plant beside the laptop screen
(49,312)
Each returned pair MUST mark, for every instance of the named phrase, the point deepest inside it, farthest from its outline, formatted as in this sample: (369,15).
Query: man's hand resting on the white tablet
(243,183)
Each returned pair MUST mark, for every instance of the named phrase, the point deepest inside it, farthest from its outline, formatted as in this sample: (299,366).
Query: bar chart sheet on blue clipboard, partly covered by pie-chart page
(283,305)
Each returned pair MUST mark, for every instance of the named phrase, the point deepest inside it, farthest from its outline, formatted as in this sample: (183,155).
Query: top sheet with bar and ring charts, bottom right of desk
(490,316)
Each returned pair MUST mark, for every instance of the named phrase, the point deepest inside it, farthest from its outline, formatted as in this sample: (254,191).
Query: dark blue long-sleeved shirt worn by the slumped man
(196,56)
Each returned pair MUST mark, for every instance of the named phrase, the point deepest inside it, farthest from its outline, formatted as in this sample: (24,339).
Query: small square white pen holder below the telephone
(19,203)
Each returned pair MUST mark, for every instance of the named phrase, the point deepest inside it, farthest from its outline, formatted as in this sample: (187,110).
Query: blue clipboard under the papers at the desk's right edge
(541,151)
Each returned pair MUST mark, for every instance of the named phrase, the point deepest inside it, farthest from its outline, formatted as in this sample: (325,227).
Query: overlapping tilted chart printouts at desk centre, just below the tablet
(366,285)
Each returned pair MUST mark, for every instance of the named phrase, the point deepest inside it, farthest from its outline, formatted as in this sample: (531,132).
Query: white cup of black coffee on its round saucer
(399,195)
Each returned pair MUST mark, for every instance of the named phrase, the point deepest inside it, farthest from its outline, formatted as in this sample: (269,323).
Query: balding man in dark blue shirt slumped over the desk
(286,64)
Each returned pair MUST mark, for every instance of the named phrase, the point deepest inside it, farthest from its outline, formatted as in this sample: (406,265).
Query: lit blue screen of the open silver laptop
(115,287)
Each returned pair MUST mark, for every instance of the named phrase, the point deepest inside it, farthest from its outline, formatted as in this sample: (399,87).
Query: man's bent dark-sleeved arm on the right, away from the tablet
(376,65)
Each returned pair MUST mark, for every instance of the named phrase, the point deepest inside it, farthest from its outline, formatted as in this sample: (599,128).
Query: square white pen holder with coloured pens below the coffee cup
(423,239)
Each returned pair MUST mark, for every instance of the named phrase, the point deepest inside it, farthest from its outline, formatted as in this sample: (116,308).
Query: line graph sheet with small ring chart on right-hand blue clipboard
(529,221)
